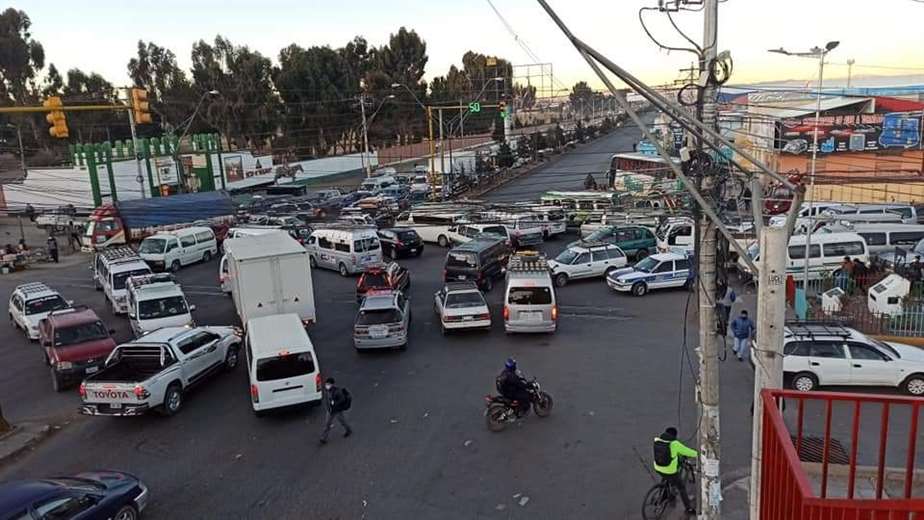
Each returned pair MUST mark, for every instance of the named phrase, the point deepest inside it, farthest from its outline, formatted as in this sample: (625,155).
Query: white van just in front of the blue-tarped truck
(174,249)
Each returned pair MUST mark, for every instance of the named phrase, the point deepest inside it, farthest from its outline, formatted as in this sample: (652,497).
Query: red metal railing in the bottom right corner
(786,489)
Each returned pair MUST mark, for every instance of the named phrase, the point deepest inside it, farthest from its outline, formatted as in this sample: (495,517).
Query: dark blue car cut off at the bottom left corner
(84,496)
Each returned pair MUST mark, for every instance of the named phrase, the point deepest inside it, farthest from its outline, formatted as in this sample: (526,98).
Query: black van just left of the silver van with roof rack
(480,261)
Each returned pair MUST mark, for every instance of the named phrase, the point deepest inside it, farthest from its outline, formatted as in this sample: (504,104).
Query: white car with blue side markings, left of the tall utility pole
(660,271)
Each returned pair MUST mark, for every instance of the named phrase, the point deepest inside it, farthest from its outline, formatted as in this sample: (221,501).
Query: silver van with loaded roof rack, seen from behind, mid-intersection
(529,296)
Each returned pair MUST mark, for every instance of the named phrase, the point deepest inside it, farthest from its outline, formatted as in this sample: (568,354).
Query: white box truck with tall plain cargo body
(270,274)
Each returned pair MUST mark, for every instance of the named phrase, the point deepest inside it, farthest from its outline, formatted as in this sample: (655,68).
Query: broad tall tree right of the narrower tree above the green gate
(247,108)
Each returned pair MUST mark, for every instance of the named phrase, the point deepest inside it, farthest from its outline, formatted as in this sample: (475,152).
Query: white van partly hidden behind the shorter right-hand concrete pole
(827,251)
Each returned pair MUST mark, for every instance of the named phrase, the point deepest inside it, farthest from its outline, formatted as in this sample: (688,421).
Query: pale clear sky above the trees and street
(883,37)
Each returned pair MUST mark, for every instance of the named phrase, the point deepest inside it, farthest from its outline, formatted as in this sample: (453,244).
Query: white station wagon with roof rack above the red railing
(821,355)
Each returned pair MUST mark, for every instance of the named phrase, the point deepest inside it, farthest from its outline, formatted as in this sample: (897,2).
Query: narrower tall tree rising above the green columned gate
(170,91)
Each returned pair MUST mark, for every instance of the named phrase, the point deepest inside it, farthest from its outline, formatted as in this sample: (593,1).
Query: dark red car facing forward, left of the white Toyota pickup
(76,343)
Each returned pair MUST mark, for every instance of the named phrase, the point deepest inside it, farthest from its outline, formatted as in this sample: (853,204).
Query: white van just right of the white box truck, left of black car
(347,249)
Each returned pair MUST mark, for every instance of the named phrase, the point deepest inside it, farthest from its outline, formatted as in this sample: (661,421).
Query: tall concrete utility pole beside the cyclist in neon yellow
(709,438)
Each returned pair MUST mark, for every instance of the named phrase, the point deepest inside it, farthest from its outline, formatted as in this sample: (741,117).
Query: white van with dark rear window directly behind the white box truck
(281,363)
